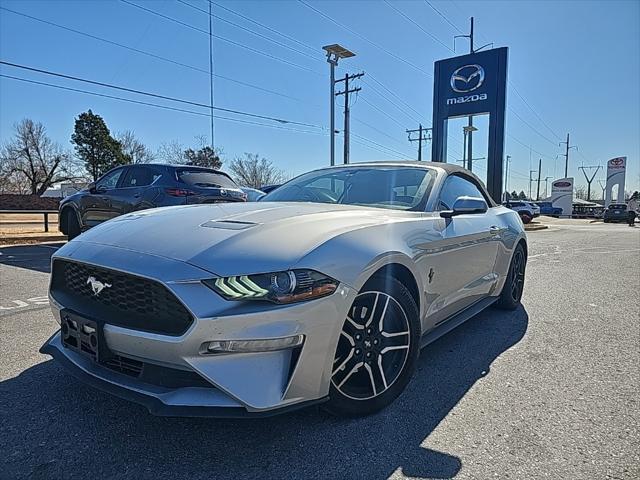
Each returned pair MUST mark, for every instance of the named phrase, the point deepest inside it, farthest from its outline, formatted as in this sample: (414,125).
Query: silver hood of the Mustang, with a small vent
(236,238)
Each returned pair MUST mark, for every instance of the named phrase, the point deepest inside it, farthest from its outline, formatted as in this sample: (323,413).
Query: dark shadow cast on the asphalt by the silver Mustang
(55,427)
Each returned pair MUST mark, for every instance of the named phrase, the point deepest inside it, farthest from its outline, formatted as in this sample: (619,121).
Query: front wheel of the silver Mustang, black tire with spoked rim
(372,366)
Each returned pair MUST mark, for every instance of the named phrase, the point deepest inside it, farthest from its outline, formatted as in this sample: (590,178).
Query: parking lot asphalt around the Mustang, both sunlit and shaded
(548,391)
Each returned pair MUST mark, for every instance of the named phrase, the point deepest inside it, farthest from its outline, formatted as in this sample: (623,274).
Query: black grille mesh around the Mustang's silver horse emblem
(128,300)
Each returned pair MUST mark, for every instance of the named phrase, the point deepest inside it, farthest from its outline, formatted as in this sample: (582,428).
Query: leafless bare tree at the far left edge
(33,160)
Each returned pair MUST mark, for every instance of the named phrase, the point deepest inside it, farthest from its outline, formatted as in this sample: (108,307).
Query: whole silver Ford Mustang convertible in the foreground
(324,291)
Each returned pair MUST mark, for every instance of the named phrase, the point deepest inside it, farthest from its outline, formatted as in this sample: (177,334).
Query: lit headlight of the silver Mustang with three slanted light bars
(279,287)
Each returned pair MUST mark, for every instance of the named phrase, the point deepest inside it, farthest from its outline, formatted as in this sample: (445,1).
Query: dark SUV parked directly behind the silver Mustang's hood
(135,187)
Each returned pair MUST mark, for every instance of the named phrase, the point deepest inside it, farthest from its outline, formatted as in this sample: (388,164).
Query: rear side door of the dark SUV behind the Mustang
(134,192)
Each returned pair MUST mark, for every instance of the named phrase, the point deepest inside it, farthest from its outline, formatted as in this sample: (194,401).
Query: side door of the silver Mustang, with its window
(464,265)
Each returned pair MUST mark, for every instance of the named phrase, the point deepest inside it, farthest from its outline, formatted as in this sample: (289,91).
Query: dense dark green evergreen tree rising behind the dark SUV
(95,146)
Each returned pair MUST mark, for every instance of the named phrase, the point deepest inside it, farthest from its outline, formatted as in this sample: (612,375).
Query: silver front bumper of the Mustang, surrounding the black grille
(238,384)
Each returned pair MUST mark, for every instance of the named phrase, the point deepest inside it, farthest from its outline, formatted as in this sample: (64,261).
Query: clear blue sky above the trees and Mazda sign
(576,63)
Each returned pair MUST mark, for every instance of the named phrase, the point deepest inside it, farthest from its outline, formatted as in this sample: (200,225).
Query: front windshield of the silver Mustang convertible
(401,188)
